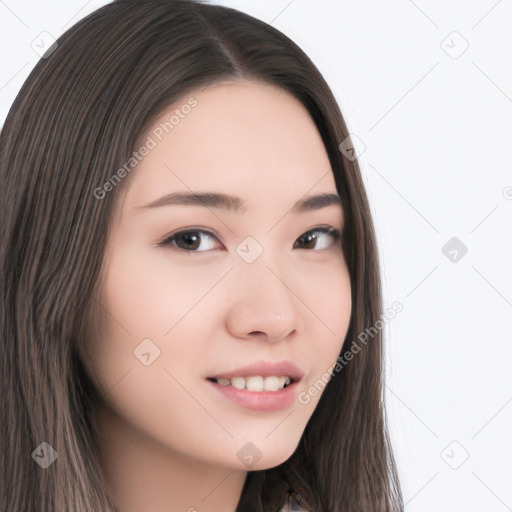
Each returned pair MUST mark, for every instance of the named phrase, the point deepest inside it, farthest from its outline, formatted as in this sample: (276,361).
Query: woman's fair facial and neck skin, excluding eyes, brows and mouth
(168,440)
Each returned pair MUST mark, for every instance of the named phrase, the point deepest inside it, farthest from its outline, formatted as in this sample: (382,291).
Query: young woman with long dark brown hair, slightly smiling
(187,259)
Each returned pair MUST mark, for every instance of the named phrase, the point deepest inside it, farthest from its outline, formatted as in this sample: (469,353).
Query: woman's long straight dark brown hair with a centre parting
(76,119)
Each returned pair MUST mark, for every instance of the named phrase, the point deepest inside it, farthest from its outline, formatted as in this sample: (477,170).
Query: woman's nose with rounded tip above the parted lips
(263,304)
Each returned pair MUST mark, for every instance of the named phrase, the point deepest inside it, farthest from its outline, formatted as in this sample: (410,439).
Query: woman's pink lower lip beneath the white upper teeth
(259,400)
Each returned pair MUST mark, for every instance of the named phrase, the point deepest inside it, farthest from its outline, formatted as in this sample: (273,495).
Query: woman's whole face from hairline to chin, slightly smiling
(195,292)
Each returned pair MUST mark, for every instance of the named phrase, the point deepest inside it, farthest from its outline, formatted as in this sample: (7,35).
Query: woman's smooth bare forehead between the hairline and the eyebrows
(249,139)
